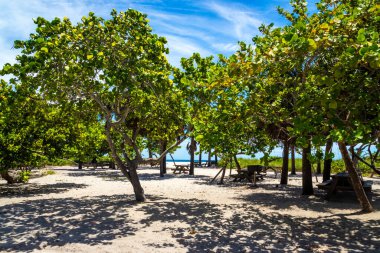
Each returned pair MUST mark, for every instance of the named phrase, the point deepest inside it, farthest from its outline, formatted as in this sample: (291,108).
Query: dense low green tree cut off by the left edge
(31,130)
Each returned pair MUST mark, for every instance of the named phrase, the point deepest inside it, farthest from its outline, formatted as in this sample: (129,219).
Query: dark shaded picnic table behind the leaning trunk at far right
(342,182)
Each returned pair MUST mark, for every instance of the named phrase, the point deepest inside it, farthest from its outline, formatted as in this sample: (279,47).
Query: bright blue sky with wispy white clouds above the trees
(207,27)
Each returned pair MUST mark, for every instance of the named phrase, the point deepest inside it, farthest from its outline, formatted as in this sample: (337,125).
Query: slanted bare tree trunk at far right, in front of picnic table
(356,182)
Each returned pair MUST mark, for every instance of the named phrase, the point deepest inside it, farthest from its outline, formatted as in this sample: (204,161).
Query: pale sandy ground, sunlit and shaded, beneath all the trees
(93,211)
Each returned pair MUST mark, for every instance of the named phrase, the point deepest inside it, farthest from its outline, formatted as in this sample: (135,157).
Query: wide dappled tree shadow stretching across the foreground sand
(204,226)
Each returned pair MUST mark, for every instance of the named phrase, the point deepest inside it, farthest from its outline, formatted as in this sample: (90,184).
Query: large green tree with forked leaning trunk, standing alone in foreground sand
(119,68)
